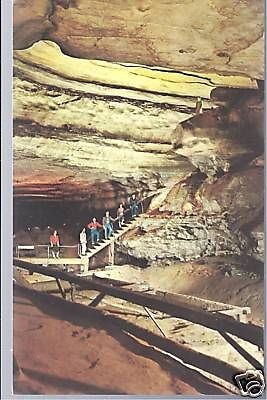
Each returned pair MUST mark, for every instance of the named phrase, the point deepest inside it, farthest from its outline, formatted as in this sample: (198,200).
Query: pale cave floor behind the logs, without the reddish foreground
(200,280)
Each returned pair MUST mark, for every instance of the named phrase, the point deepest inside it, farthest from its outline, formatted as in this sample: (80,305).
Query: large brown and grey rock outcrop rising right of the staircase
(226,221)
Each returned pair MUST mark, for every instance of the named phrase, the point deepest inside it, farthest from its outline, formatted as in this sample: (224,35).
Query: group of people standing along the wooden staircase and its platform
(94,226)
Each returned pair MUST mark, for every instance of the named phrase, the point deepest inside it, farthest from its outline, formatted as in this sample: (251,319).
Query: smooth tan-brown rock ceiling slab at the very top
(222,36)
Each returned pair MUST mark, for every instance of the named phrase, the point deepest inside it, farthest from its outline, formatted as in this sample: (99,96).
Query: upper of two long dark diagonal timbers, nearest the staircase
(217,322)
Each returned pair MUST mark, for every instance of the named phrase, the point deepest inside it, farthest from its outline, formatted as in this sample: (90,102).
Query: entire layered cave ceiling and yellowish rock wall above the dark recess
(98,95)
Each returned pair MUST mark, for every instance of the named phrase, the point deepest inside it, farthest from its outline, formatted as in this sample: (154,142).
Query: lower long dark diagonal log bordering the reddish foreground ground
(75,311)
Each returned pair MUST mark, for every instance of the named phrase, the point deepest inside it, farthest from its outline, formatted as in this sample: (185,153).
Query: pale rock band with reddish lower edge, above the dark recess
(101,172)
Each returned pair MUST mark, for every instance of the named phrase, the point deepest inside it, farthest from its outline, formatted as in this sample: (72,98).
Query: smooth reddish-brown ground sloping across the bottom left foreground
(59,354)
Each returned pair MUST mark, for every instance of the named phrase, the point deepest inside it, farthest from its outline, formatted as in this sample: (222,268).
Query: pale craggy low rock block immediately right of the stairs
(183,238)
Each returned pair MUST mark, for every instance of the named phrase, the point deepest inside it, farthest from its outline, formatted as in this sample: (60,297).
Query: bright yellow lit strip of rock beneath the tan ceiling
(48,55)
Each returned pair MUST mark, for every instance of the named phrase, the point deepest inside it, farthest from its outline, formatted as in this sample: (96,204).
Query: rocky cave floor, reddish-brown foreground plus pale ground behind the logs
(101,347)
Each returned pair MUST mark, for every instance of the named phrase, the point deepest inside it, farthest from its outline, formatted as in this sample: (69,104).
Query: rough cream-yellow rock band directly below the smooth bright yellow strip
(142,121)
